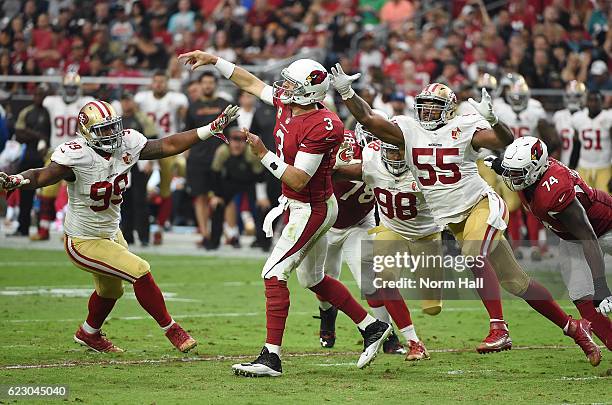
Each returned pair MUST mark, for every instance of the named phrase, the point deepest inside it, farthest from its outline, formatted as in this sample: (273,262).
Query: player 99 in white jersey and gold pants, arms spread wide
(96,167)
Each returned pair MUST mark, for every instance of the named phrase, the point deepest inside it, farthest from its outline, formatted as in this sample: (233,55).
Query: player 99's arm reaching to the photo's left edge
(36,178)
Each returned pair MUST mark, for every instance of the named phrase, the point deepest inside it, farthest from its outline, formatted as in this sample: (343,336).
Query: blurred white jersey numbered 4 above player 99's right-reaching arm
(163,111)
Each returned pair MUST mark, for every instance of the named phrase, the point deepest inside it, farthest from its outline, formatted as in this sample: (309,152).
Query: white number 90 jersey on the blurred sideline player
(64,121)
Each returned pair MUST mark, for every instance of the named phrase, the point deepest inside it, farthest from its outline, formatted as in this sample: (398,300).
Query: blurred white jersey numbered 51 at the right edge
(594,136)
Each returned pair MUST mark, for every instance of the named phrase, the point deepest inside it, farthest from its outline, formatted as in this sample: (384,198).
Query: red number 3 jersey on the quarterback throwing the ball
(319,131)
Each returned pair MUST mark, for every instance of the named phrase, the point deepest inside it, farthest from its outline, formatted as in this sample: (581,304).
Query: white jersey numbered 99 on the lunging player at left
(94,198)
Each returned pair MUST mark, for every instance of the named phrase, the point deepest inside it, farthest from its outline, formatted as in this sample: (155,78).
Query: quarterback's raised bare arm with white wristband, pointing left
(242,78)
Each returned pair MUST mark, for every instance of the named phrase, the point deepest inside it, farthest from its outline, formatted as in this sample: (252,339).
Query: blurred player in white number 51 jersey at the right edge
(593,125)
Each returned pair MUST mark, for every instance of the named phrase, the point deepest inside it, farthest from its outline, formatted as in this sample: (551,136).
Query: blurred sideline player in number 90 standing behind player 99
(63,110)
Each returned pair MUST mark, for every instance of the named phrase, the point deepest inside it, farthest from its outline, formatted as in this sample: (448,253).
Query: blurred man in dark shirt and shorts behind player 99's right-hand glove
(200,113)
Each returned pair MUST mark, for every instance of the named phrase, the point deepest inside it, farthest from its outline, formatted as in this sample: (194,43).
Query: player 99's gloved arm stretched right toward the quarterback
(177,143)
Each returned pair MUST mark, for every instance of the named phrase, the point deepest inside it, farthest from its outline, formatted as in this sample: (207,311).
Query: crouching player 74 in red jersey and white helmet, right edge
(580,215)
